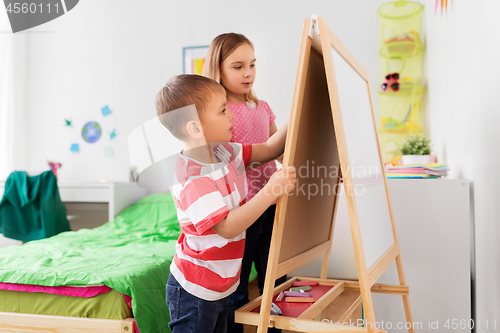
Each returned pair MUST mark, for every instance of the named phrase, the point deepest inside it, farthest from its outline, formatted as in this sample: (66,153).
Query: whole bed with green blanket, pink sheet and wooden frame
(108,279)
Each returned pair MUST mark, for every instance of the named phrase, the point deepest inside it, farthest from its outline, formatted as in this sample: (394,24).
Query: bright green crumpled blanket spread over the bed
(131,254)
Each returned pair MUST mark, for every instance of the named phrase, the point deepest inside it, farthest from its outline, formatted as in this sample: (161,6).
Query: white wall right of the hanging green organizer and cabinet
(463,71)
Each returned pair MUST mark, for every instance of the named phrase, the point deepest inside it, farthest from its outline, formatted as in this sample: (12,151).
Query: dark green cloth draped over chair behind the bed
(31,208)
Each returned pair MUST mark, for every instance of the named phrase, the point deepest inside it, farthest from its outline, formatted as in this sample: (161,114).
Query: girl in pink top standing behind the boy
(231,62)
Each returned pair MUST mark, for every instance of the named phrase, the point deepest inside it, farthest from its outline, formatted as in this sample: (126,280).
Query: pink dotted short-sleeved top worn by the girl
(252,126)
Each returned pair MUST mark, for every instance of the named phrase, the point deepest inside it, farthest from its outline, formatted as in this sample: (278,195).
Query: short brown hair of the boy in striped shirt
(180,94)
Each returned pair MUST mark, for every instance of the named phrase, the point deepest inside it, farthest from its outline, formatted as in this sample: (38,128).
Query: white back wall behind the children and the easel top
(120,53)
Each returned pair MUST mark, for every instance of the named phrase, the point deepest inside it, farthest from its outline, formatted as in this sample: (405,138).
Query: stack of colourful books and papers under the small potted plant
(427,171)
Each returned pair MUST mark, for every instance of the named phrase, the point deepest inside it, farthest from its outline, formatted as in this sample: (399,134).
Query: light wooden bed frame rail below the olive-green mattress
(22,322)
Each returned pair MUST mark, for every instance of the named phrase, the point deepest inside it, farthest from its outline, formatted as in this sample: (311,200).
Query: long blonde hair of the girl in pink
(220,48)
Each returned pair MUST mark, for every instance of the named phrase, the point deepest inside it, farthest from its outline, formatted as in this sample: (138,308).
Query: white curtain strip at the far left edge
(6,82)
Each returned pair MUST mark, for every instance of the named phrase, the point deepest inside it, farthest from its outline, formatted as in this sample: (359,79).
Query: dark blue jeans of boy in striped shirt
(191,314)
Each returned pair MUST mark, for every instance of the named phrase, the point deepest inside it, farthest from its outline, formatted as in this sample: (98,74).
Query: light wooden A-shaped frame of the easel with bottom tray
(318,39)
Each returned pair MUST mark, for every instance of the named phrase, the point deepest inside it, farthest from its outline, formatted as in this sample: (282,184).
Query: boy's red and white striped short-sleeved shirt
(206,264)
